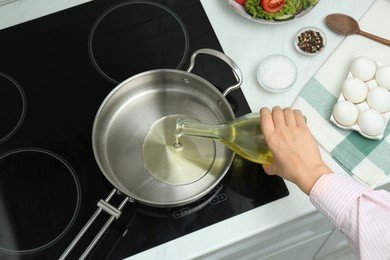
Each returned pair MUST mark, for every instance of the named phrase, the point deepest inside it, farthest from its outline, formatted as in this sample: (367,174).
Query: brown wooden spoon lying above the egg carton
(346,25)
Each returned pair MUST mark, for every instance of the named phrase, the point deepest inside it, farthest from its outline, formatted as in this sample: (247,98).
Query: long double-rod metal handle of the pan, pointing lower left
(108,208)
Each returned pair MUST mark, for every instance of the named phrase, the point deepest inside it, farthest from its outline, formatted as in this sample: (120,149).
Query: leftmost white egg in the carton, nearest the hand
(345,113)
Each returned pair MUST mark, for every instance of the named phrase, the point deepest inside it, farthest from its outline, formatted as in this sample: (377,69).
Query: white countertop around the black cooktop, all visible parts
(246,43)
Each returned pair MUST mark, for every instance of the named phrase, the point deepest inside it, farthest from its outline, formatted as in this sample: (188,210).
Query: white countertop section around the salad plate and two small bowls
(247,43)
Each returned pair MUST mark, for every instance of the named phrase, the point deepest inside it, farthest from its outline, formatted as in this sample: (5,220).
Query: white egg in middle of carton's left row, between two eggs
(354,90)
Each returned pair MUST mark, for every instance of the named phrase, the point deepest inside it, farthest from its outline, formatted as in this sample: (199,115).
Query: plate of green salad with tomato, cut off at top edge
(272,11)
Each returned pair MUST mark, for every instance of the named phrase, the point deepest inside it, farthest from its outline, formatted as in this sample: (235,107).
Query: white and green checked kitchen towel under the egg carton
(366,160)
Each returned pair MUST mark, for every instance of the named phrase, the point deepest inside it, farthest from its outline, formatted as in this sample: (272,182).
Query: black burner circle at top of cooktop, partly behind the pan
(137,36)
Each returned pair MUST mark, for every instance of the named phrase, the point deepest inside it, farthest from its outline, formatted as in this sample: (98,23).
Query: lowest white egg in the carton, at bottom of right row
(371,122)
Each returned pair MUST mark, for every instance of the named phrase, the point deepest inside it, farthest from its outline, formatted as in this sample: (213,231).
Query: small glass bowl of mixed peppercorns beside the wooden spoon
(310,40)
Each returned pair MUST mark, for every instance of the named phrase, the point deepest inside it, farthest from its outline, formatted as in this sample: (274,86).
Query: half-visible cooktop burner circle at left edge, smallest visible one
(13,106)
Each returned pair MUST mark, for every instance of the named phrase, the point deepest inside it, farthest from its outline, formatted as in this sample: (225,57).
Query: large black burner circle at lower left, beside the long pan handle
(29,180)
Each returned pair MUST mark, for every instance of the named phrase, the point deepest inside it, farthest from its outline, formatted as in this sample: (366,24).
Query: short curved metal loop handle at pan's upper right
(236,70)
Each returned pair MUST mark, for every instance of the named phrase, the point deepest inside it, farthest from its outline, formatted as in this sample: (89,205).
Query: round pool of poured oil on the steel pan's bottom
(176,166)
